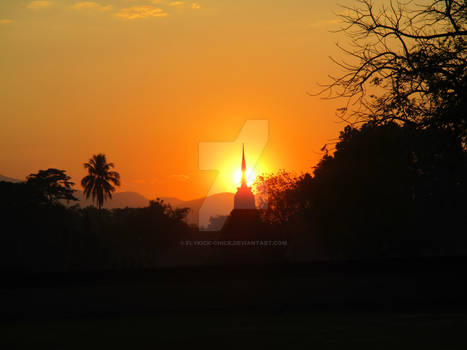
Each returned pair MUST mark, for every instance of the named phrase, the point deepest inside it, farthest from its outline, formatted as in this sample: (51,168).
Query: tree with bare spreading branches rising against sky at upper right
(407,63)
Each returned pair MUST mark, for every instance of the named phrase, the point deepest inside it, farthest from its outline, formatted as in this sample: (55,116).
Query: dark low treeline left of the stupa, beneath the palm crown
(40,234)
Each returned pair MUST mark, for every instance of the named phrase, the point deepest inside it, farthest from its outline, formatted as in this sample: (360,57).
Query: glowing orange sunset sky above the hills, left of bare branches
(146,81)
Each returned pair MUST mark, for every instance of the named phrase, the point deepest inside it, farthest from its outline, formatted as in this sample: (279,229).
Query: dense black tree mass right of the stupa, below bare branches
(387,191)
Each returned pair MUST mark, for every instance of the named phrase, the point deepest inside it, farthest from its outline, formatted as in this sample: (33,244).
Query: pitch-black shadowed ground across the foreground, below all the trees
(386,304)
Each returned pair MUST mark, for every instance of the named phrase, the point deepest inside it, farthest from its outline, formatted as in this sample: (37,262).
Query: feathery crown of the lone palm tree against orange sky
(100,181)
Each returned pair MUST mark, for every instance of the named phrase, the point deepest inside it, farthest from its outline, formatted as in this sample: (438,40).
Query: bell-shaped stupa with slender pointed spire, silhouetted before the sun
(244,218)
